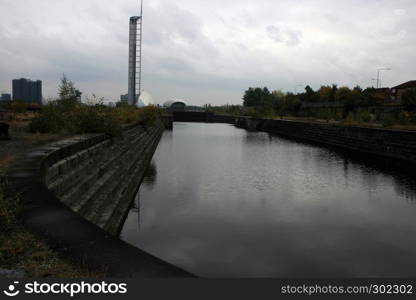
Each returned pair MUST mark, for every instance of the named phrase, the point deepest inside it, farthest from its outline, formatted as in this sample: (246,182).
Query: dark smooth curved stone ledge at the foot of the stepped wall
(73,236)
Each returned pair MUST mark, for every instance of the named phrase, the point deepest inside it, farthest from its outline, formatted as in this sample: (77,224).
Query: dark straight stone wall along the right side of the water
(400,145)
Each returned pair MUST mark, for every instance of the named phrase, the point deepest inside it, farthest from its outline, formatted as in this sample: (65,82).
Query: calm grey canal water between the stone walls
(220,201)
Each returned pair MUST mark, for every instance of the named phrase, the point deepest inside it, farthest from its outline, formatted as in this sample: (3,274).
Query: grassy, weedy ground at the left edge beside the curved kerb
(23,253)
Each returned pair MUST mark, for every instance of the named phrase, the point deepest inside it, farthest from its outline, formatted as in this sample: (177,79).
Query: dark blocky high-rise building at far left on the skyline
(27,90)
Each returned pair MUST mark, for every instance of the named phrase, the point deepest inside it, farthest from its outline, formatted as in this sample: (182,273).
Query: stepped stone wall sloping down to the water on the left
(98,177)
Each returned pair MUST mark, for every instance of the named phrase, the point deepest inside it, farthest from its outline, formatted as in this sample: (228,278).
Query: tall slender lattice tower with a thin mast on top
(135,57)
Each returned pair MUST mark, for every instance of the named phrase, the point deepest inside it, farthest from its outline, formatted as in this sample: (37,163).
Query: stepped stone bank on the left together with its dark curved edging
(88,170)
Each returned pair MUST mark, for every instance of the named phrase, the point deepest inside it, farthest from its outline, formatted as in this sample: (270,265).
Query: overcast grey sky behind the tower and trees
(208,51)
